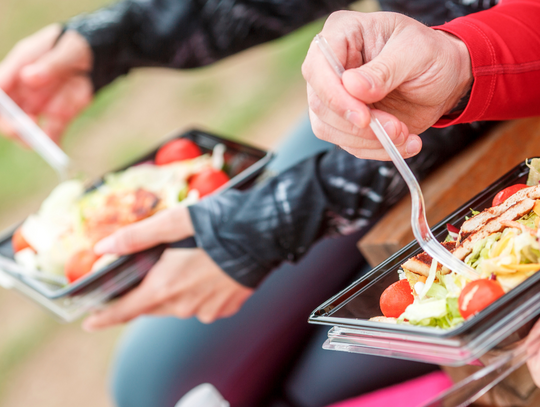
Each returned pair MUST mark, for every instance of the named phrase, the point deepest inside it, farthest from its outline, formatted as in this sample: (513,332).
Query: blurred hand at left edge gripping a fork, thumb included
(48,81)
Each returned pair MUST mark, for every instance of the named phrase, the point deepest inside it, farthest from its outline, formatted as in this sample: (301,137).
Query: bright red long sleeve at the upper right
(504,44)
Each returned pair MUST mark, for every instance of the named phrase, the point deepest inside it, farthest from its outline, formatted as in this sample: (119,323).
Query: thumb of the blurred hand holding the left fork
(72,55)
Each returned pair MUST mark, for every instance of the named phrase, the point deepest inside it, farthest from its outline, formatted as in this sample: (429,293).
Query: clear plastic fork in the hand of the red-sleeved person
(419,224)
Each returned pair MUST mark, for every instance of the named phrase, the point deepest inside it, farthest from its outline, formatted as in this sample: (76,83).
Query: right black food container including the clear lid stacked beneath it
(501,324)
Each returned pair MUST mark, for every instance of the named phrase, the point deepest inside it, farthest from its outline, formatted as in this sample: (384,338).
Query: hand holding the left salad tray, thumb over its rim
(183,283)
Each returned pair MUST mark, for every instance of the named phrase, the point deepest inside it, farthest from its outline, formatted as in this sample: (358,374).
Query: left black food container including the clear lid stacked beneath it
(242,163)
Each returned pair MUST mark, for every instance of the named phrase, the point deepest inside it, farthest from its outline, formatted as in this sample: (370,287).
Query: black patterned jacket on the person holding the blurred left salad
(250,233)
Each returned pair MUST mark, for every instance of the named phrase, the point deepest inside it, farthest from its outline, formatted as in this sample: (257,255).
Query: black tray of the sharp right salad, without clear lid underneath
(352,307)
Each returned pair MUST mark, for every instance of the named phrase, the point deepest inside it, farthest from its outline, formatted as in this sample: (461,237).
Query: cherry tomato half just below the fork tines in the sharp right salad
(477,295)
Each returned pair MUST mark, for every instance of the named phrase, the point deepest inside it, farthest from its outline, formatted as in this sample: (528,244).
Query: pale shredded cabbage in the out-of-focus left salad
(57,230)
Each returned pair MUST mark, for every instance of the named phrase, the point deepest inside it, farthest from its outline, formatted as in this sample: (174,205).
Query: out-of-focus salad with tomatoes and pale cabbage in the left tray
(58,240)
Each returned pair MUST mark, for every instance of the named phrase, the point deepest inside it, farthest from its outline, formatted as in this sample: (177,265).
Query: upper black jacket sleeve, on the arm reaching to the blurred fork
(187,33)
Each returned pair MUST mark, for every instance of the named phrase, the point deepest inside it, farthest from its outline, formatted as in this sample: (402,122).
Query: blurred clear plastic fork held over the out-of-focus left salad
(36,138)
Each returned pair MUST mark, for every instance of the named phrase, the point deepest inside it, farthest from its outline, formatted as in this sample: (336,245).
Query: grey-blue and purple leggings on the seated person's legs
(267,350)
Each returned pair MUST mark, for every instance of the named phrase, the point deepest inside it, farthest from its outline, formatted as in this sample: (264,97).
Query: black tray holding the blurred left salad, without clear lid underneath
(243,164)
